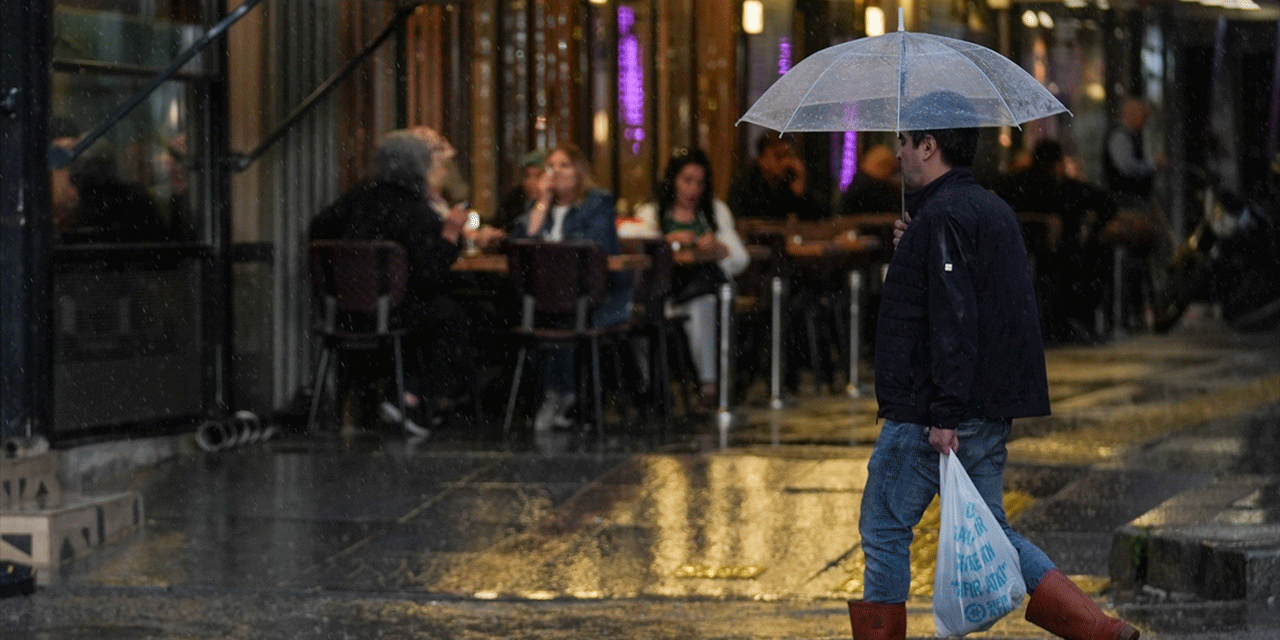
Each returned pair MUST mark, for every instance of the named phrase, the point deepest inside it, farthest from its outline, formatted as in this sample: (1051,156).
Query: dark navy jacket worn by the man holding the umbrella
(958,335)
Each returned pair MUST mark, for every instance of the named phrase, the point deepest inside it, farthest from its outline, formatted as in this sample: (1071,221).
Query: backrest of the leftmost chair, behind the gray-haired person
(359,284)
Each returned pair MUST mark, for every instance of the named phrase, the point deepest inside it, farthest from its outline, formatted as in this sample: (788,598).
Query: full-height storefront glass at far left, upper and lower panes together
(131,273)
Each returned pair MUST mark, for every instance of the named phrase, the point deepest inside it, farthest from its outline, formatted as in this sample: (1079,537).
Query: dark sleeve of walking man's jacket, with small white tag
(953,319)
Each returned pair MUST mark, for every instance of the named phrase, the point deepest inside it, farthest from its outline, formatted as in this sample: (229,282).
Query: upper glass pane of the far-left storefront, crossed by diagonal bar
(135,184)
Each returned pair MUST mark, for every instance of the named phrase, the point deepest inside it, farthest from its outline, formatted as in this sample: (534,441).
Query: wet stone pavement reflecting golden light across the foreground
(372,537)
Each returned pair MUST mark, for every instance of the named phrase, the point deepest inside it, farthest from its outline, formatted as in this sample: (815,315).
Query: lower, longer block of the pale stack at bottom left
(48,538)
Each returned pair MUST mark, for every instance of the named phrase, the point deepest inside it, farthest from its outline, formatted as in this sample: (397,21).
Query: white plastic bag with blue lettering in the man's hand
(979,578)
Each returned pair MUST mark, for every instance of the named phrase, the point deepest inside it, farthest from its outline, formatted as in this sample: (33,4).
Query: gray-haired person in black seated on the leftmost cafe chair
(403,203)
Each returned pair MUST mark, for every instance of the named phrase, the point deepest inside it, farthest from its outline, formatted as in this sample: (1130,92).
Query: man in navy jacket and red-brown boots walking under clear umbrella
(958,356)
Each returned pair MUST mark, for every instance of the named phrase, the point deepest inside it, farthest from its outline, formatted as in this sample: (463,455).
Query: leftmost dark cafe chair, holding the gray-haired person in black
(358,285)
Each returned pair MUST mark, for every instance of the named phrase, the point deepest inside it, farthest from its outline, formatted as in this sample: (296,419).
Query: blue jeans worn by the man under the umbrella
(903,479)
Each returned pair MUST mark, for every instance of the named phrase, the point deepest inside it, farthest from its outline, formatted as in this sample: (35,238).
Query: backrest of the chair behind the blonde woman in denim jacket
(559,278)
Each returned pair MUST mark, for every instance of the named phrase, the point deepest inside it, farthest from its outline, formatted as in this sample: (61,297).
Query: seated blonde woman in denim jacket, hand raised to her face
(569,208)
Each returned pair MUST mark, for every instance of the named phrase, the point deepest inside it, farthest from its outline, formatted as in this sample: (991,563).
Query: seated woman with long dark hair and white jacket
(688,214)
